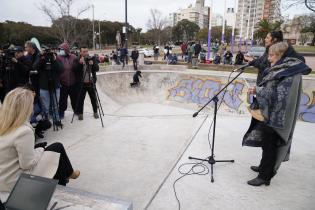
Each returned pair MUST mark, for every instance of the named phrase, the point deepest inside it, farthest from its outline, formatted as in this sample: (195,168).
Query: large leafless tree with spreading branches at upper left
(64,23)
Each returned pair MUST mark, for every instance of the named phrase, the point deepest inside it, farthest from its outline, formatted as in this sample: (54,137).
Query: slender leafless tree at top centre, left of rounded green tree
(156,24)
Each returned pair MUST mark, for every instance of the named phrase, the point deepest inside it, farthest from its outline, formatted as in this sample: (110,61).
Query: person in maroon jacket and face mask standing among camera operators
(68,80)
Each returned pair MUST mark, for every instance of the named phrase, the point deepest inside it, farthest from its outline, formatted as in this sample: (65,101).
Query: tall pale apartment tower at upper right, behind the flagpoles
(250,12)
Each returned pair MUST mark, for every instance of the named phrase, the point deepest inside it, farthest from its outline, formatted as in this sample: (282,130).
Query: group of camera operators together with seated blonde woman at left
(35,86)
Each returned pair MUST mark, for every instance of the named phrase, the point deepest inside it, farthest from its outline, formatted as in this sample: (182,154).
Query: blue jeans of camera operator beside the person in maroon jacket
(51,107)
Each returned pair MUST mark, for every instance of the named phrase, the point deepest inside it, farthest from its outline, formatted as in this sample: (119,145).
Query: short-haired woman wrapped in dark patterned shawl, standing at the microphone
(278,99)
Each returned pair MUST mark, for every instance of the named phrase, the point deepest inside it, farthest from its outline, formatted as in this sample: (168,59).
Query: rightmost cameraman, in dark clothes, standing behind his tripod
(87,68)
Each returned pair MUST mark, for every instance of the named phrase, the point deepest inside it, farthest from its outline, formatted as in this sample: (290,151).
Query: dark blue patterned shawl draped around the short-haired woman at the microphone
(278,97)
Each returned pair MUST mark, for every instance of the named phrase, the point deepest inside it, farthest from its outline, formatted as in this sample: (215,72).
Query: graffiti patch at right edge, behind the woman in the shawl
(307,107)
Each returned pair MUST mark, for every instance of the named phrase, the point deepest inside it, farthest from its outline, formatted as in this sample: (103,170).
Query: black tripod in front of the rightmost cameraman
(98,101)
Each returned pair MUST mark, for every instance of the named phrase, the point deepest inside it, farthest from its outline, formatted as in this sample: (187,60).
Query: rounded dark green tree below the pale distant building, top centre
(185,30)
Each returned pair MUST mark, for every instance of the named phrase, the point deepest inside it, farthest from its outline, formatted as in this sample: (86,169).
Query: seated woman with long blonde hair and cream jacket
(17,153)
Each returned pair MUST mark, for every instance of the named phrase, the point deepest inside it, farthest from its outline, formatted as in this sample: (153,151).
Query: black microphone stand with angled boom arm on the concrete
(215,99)
